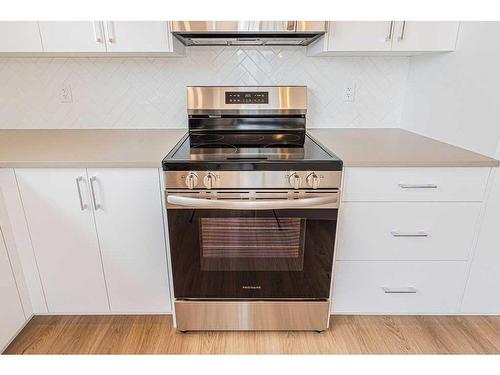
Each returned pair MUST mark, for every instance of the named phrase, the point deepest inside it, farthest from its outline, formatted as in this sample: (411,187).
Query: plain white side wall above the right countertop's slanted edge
(455,97)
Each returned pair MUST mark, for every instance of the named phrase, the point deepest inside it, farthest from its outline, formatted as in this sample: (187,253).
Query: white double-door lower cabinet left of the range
(98,238)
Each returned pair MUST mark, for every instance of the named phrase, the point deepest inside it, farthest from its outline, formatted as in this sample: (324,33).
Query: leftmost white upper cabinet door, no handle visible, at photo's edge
(20,36)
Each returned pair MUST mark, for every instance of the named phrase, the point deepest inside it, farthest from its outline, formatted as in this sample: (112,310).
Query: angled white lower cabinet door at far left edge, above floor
(11,311)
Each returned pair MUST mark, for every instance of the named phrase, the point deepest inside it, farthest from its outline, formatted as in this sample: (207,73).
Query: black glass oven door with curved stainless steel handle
(252,245)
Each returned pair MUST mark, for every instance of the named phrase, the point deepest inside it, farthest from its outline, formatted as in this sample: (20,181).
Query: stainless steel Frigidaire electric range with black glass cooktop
(252,203)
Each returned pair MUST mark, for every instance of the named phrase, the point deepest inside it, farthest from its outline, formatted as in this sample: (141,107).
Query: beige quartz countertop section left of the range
(86,148)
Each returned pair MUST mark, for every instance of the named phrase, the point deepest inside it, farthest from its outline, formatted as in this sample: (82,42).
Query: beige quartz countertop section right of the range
(395,148)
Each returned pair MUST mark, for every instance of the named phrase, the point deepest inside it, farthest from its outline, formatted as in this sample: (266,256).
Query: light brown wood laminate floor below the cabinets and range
(148,334)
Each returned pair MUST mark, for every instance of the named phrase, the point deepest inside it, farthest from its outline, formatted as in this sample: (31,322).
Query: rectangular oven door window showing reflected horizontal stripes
(252,243)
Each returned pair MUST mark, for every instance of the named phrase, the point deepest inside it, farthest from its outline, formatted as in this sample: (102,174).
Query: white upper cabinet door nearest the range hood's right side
(359,36)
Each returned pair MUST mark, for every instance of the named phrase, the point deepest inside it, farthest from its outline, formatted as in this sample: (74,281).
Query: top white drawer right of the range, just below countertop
(415,184)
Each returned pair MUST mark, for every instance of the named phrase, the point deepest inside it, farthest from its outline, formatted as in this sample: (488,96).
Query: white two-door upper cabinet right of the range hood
(399,37)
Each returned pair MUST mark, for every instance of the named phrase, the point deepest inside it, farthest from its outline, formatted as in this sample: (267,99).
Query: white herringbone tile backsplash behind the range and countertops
(150,92)
